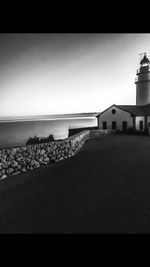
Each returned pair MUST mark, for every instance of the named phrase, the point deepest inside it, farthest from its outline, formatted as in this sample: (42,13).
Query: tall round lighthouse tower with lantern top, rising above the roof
(143,82)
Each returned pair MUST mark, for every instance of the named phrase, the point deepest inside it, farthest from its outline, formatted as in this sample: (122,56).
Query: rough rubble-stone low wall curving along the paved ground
(21,159)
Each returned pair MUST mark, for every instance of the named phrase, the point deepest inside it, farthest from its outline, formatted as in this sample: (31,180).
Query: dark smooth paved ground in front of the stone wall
(105,188)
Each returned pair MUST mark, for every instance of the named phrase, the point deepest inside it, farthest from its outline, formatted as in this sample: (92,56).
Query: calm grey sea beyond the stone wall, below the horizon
(15,132)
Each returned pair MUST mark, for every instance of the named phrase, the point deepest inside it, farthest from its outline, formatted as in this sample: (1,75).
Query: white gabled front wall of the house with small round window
(119,117)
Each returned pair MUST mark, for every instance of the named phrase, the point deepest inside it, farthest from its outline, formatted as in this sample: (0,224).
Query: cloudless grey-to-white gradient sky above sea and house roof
(44,74)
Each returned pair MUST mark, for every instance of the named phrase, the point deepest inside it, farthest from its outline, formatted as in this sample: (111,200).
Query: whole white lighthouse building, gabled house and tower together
(122,117)
